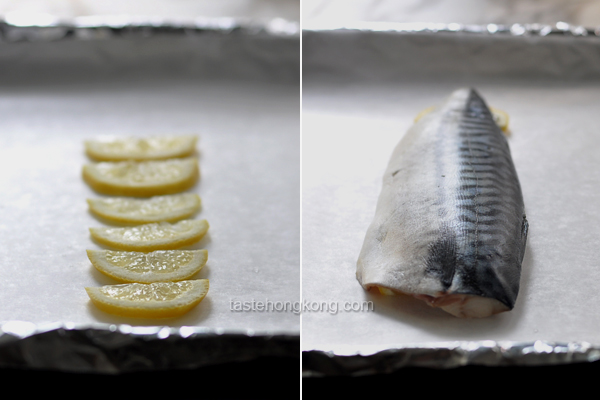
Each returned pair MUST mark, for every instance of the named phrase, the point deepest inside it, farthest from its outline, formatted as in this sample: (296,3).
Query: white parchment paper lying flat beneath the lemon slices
(248,152)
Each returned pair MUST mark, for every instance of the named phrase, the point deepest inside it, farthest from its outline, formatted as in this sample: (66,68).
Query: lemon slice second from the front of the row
(157,266)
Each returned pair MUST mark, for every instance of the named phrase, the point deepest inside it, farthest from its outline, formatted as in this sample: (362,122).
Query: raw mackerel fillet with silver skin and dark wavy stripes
(450,226)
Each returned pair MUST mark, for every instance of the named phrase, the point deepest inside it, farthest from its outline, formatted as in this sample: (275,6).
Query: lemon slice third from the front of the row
(153,236)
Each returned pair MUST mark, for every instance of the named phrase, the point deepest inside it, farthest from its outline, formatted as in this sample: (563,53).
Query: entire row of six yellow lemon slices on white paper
(156,275)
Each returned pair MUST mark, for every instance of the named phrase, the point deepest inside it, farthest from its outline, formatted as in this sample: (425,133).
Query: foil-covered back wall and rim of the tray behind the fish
(387,52)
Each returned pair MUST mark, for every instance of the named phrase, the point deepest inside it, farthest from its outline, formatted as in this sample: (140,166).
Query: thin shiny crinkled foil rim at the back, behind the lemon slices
(106,27)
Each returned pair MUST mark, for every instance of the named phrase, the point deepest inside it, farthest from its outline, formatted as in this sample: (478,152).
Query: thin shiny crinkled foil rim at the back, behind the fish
(560,28)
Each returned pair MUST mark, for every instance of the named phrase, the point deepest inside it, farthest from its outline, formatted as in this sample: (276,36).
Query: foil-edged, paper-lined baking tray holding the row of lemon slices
(236,86)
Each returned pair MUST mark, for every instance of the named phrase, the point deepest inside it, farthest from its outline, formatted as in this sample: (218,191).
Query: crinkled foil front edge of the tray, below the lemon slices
(113,349)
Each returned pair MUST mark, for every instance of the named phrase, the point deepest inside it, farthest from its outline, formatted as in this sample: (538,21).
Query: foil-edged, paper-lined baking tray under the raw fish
(363,86)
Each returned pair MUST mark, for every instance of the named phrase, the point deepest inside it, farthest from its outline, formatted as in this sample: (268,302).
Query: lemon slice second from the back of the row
(142,179)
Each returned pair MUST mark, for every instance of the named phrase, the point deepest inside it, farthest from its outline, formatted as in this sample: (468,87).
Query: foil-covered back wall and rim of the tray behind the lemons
(91,47)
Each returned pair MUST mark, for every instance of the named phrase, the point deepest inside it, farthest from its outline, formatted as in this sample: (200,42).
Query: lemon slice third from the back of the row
(139,211)
